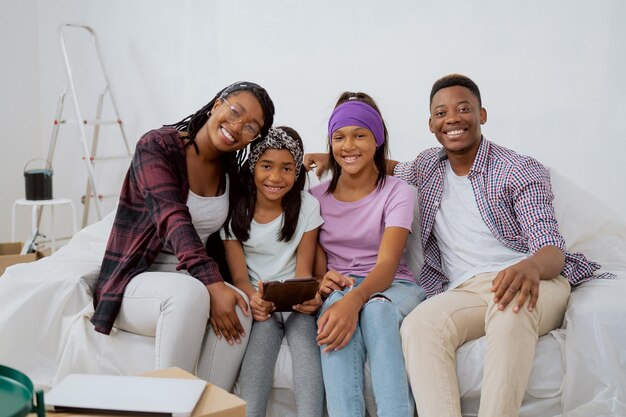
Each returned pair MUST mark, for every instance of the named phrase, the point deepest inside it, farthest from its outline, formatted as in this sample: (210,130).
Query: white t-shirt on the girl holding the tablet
(269,259)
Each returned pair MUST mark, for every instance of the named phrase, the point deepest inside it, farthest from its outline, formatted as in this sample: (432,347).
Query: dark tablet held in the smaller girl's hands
(289,292)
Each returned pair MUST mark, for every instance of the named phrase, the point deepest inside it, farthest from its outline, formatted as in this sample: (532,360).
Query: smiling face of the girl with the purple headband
(353,148)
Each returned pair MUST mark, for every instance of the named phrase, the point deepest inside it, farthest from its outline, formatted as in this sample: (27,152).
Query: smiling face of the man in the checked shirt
(455,119)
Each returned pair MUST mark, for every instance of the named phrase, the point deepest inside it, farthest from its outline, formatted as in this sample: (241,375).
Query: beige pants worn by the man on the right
(438,326)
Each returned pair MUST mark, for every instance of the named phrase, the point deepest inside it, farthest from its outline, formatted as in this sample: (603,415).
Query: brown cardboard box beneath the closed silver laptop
(214,402)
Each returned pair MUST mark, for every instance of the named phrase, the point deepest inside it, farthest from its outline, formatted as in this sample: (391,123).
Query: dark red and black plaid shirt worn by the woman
(152,212)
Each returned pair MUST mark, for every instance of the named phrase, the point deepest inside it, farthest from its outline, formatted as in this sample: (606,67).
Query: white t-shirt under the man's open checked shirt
(467,246)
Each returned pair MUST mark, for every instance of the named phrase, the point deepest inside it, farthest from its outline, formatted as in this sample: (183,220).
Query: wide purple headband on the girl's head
(357,113)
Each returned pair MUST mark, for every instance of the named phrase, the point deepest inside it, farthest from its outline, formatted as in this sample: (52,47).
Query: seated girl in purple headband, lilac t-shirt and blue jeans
(368,287)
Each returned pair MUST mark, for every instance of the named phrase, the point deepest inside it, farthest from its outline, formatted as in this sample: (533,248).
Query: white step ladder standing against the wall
(89,151)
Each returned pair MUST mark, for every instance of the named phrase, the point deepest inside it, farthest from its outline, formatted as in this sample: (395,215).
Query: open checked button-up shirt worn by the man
(514,197)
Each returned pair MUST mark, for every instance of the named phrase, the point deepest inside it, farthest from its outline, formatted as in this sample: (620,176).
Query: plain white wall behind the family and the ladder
(551,72)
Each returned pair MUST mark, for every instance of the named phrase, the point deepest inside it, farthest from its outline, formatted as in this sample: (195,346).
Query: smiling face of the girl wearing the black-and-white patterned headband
(274,174)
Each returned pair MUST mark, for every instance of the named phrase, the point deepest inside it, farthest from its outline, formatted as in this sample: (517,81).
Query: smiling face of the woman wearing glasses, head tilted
(225,135)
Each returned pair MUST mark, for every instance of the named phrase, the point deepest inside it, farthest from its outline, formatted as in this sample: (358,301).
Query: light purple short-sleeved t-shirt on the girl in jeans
(352,231)
